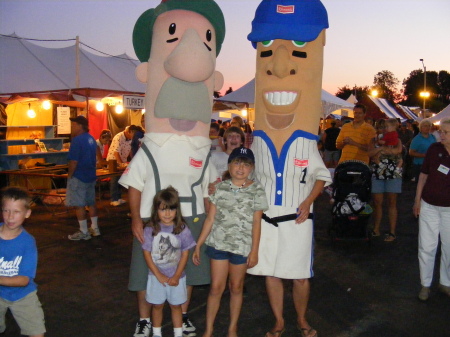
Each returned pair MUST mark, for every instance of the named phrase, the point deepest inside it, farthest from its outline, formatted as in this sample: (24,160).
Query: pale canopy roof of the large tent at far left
(27,67)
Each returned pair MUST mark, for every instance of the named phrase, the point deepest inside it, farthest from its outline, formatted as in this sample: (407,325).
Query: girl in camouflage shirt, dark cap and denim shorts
(232,231)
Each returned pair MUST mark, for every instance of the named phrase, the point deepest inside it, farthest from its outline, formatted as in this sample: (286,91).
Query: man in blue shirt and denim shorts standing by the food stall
(82,178)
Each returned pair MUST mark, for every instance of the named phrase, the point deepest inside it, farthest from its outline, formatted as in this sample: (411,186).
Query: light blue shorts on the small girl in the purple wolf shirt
(158,293)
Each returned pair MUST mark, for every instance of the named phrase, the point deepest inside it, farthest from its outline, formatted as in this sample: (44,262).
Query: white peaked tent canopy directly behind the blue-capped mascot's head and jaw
(246,94)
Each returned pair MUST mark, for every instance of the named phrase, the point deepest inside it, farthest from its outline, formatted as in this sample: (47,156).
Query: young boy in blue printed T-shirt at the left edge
(18,263)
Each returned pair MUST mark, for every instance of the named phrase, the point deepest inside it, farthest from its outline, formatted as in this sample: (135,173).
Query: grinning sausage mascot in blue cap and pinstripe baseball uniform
(289,37)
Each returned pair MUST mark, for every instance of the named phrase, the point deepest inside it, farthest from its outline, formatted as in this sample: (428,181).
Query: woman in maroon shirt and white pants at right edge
(432,206)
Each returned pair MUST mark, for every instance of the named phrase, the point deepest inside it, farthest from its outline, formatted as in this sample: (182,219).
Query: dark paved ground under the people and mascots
(358,289)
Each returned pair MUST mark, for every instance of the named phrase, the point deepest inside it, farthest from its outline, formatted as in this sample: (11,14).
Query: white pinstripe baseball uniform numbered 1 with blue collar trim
(287,251)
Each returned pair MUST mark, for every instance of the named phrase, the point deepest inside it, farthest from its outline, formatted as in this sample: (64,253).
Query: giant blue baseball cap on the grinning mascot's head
(298,20)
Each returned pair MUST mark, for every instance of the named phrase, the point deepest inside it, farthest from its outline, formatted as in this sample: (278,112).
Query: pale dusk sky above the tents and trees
(364,37)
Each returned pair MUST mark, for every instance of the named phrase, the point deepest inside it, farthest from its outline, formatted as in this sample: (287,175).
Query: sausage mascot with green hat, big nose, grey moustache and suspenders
(178,42)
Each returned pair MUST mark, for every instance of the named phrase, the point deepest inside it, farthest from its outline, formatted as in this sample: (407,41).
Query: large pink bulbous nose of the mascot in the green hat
(191,60)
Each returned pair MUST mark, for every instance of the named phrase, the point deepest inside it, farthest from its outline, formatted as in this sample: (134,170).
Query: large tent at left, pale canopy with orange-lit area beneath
(70,76)
